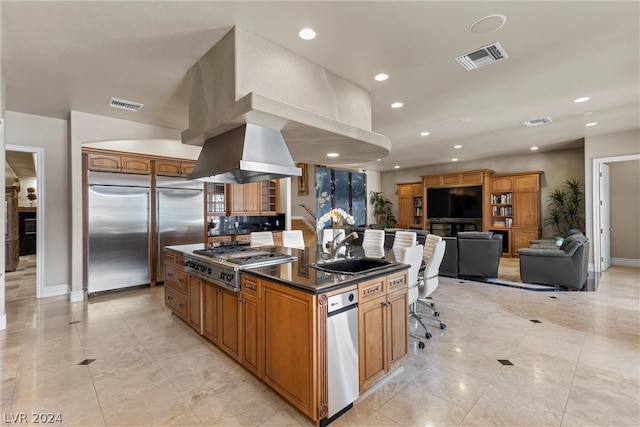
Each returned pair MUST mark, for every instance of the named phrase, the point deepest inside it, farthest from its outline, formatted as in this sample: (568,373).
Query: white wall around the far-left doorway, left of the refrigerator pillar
(52,136)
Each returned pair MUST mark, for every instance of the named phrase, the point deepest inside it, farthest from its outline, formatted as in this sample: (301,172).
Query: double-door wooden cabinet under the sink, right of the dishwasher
(382,327)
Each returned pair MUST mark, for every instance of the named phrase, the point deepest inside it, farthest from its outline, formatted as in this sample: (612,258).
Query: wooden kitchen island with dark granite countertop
(276,324)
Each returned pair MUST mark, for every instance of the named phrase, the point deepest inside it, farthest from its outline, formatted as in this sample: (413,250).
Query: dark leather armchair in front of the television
(472,254)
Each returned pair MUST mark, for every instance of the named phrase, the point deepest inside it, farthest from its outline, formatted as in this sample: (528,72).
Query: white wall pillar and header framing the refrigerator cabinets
(91,128)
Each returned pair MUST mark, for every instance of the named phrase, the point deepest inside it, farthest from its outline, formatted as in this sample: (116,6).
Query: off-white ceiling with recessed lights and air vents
(62,56)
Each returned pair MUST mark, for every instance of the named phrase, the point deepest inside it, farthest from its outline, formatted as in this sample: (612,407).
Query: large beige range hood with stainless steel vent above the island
(247,96)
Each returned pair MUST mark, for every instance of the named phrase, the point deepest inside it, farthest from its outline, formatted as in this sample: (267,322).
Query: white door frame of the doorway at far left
(39,153)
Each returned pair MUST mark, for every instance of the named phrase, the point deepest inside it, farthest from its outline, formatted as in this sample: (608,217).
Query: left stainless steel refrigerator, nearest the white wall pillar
(118,231)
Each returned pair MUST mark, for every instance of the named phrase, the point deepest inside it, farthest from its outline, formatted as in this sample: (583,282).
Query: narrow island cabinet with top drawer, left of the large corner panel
(251,344)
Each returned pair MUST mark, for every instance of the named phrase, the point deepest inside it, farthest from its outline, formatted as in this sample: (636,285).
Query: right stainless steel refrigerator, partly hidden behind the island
(180,215)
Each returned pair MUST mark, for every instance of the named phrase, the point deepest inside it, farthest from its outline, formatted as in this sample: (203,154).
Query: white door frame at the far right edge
(601,231)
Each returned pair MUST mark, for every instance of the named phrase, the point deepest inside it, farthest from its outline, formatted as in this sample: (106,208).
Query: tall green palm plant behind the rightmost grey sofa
(565,210)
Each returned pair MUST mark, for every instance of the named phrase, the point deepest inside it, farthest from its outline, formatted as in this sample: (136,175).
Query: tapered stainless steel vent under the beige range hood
(248,153)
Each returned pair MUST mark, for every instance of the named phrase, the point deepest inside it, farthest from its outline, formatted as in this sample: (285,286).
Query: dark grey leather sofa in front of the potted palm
(565,266)
